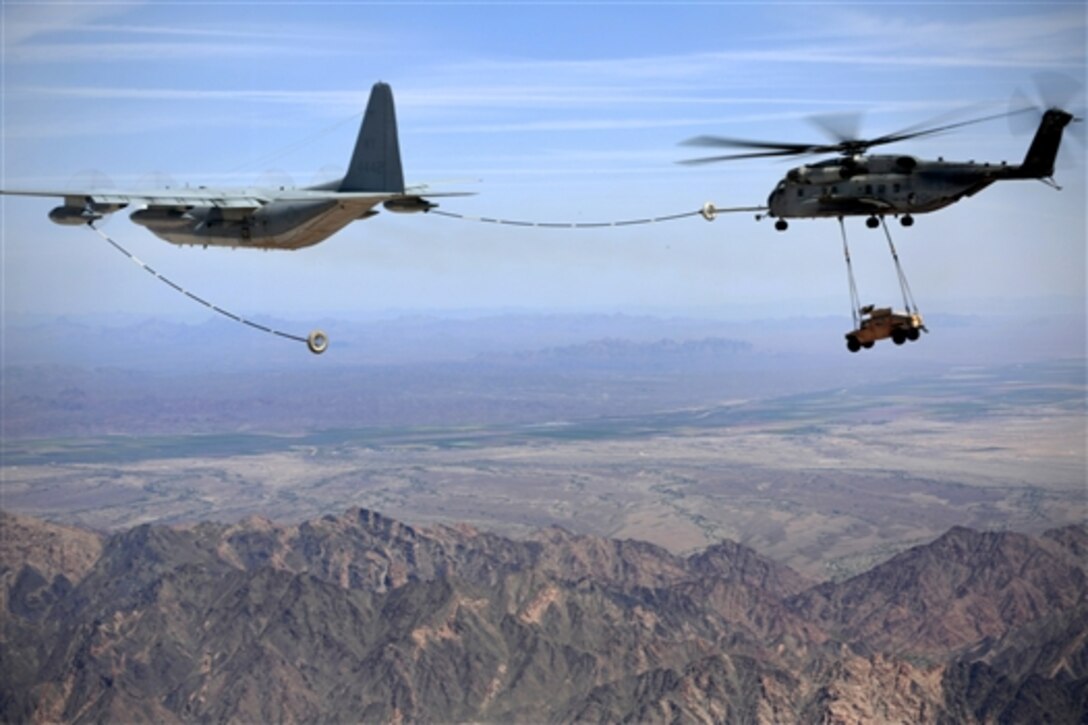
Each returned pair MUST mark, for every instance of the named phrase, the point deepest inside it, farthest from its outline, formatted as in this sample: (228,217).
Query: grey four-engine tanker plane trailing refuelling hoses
(266,218)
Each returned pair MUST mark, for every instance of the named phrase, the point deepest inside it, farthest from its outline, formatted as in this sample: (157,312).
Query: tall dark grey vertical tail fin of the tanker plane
(376,165)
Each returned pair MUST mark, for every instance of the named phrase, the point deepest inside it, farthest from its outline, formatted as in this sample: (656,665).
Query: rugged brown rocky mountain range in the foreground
(360,618)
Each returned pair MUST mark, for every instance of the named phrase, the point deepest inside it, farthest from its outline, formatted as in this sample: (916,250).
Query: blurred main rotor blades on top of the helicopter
(840,127)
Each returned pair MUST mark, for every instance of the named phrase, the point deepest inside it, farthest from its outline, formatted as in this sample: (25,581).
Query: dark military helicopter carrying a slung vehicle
(857,185)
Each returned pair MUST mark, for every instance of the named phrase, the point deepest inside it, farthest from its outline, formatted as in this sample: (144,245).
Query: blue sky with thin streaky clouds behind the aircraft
(548,112)
